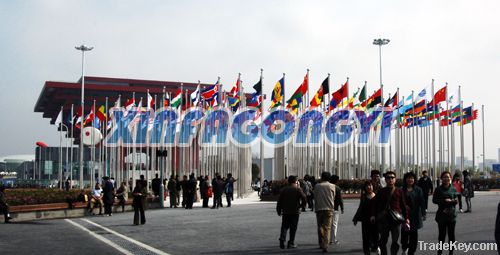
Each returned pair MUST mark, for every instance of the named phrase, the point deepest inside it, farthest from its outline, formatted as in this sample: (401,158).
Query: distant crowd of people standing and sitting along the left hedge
(104,194)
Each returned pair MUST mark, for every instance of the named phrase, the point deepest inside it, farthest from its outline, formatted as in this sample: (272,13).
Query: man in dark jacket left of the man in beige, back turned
(290,201)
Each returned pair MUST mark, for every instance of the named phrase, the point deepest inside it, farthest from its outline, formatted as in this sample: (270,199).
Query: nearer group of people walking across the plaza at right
(384,210)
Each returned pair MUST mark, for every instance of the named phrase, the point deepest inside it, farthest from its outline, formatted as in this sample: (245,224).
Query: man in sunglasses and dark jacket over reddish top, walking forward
(390,212)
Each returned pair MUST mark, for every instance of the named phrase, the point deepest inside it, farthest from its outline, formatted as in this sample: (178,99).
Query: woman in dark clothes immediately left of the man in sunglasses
(369,233)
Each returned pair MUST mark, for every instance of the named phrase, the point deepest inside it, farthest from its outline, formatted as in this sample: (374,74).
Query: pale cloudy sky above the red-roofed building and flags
(449,41)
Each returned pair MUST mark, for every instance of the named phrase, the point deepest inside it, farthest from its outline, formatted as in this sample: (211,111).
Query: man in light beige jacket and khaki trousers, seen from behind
(324,195)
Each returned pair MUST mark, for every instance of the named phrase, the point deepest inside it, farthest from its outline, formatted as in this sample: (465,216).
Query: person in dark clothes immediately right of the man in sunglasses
(415,201)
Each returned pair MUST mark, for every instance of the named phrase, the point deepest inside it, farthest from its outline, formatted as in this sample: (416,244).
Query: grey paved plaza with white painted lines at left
(248,227)
